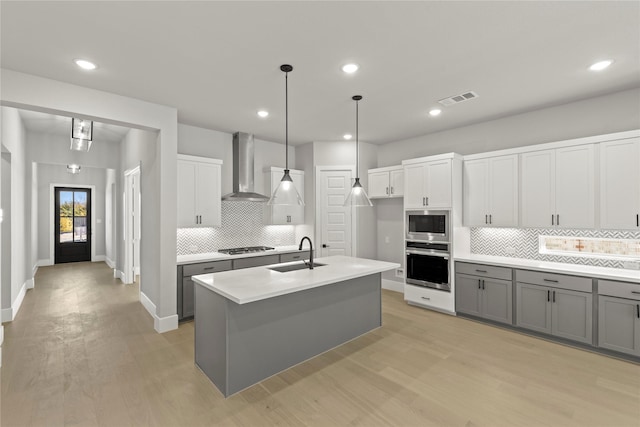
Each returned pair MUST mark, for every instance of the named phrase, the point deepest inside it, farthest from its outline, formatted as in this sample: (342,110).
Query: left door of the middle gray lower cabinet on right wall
(534,307)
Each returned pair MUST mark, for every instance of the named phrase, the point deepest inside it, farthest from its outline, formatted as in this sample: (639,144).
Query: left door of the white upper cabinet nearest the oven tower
(476,190)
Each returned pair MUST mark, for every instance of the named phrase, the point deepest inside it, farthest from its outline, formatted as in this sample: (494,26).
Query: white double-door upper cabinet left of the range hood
(199,192)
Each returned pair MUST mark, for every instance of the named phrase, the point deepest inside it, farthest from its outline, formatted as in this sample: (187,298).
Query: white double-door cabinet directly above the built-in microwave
(427,185)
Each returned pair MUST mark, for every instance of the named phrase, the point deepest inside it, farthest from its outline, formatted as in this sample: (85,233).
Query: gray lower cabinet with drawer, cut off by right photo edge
(619,316)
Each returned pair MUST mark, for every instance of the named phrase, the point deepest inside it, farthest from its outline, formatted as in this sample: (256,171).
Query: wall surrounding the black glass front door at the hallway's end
(57,174)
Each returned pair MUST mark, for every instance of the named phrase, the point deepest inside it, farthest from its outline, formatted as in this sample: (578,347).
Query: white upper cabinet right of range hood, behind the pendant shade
(283,215)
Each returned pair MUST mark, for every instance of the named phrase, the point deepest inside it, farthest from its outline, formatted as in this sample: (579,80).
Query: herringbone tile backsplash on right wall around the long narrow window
(524,243)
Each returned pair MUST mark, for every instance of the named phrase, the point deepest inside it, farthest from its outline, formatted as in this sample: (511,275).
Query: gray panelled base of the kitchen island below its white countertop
(238,345)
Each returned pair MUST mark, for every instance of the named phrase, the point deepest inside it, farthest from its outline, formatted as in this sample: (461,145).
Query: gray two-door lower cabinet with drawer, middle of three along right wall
(555,310)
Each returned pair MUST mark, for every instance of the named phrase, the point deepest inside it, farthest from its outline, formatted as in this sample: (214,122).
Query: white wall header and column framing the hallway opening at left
(35,93)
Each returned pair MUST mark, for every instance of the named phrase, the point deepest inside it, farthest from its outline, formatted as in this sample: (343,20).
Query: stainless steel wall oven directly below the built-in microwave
(428,264)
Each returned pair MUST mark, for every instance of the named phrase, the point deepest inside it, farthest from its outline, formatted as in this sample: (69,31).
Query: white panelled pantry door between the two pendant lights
(334,217)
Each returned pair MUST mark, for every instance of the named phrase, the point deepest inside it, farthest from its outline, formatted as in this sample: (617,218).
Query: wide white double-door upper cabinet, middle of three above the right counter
(558,188)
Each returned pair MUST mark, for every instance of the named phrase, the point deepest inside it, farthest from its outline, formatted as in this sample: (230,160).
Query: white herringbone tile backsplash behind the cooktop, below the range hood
(242,225)
